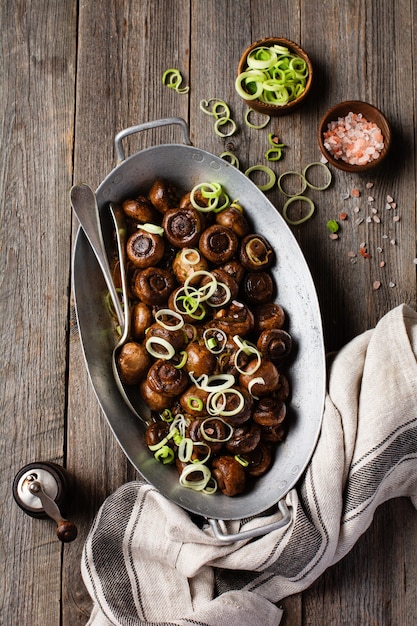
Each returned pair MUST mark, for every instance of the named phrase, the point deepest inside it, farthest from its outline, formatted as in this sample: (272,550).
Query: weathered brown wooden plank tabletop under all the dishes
(72,75)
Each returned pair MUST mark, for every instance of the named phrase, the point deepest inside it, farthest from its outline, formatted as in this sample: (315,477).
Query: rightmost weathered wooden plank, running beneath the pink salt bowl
(367,586)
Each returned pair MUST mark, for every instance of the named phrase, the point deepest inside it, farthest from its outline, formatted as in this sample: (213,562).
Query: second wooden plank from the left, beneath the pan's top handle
(121,60)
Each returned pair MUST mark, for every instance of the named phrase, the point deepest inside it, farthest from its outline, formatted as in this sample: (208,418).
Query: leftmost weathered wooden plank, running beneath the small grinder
(35,131)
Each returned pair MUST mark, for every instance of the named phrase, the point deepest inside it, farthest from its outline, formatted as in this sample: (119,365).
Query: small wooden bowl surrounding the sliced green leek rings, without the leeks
(272,109)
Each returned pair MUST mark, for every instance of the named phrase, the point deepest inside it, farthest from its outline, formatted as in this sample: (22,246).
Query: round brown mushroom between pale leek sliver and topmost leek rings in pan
(182,227)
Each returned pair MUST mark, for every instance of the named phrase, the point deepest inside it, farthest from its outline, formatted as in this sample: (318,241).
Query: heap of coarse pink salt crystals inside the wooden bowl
(353,139)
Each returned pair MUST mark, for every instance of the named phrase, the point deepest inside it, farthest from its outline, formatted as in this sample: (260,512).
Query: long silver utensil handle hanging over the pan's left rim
(84,204)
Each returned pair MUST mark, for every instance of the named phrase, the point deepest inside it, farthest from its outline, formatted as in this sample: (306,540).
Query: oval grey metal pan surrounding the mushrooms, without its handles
(186,166)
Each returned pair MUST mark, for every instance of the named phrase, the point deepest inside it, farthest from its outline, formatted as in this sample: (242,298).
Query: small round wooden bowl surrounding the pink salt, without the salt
(371,114)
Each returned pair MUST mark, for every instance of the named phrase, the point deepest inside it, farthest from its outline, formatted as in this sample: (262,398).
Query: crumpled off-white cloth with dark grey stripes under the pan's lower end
(146,562)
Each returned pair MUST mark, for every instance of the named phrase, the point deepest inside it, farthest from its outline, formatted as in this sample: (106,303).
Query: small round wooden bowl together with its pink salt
(354,136)
